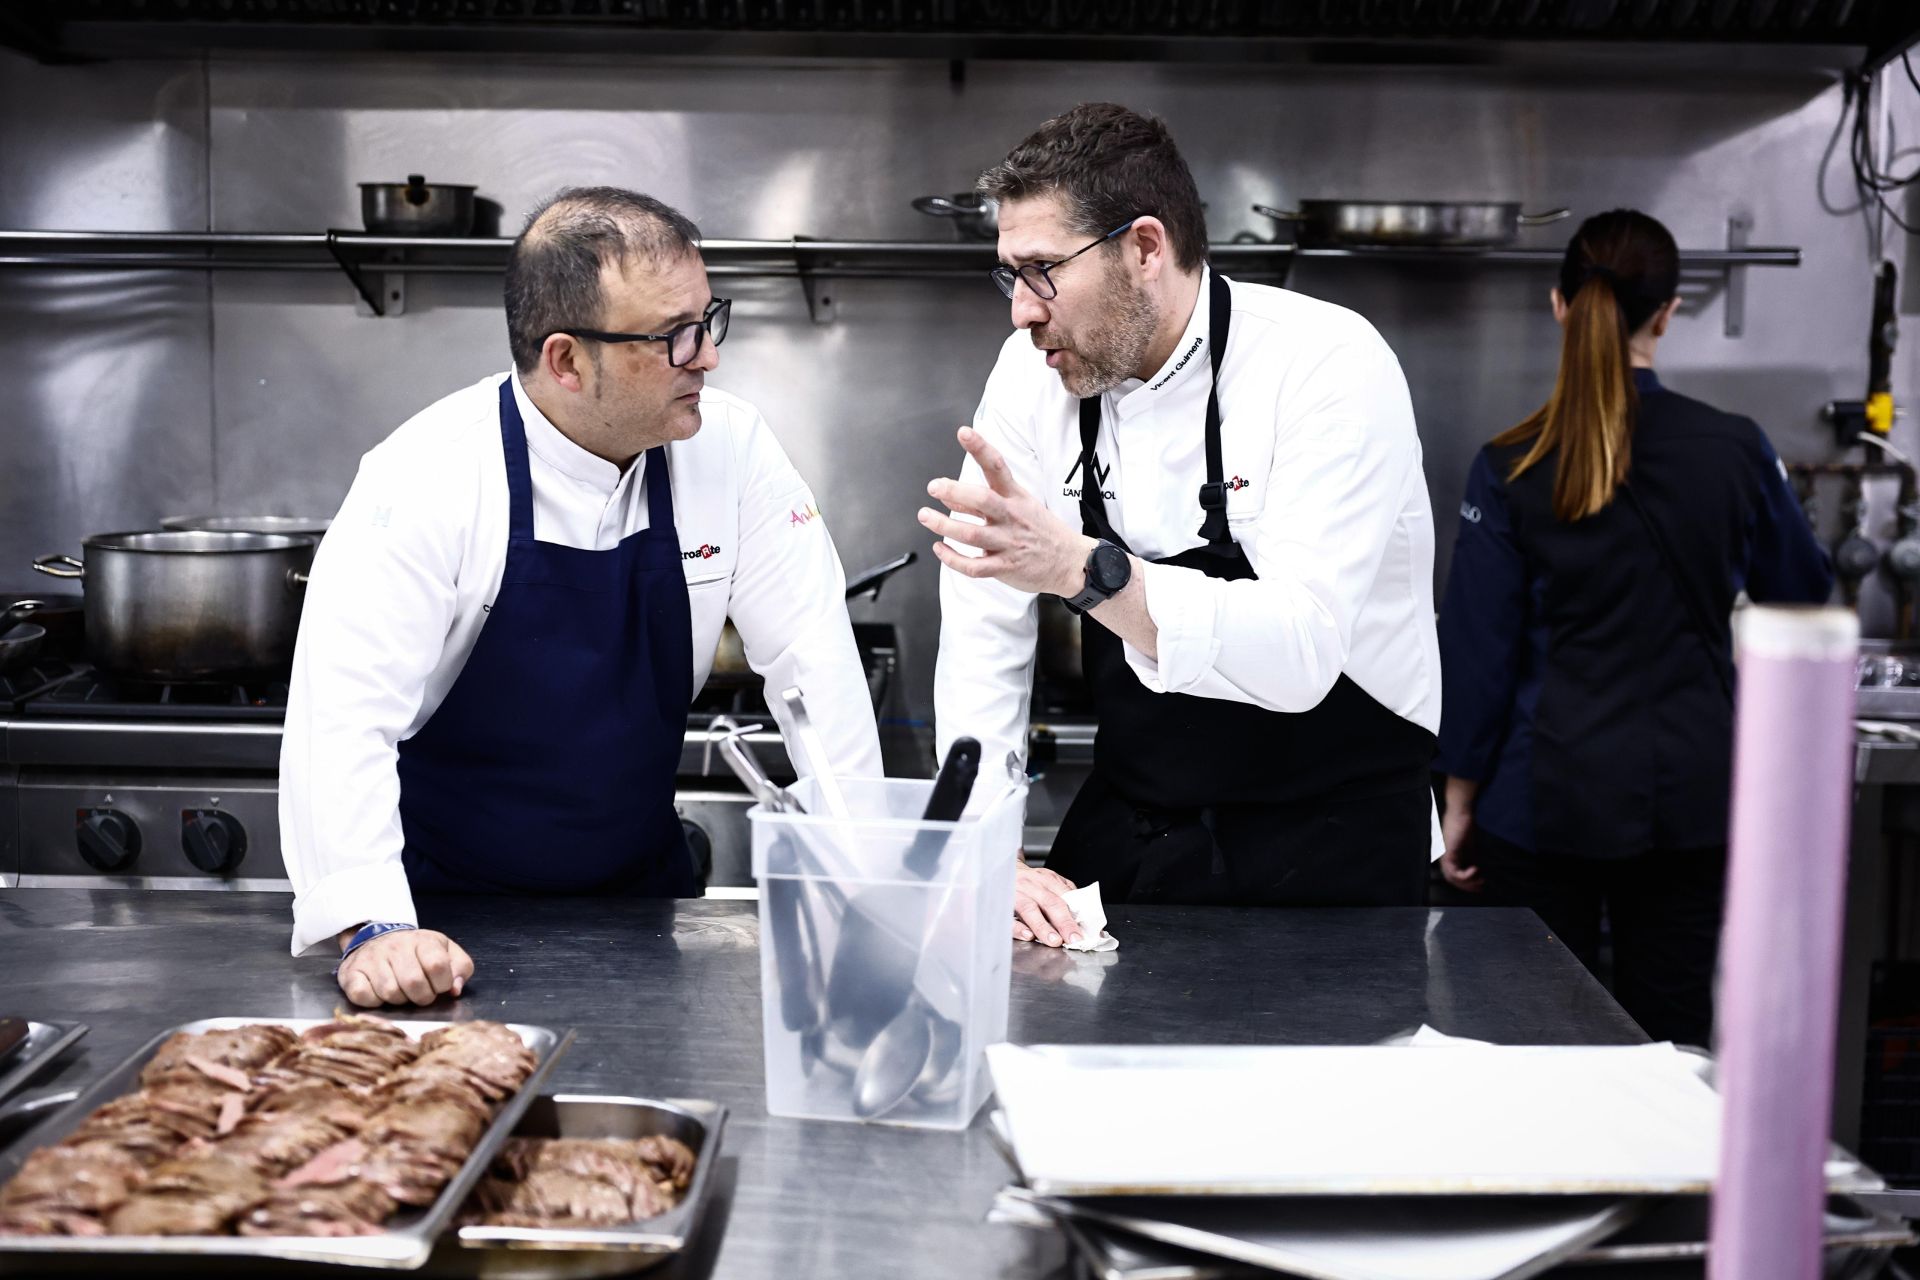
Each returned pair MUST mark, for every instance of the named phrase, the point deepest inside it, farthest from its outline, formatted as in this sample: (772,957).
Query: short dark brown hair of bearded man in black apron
(1109,166)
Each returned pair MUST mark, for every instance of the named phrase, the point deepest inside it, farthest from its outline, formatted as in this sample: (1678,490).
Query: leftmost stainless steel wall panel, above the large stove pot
(110,402)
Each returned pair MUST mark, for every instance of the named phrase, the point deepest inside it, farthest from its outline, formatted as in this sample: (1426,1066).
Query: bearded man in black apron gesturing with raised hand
(1224,481)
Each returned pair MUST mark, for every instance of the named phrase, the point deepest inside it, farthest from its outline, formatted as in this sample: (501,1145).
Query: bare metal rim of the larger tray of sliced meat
(410,1237)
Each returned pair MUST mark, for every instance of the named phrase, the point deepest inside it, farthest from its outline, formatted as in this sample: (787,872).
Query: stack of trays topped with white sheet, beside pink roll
(1441,1160)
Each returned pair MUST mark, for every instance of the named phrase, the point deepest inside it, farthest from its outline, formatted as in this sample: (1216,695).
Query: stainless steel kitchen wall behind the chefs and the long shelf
(299,385)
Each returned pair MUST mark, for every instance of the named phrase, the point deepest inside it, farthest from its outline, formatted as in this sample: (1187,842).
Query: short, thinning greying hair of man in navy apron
(554,272)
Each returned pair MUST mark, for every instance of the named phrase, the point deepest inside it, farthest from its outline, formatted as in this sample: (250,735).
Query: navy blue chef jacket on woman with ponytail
(1579,690)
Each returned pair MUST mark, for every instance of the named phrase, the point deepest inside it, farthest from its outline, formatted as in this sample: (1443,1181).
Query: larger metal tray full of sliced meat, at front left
(347,1141)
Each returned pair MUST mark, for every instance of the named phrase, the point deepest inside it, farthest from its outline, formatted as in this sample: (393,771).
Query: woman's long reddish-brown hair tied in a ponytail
(1620,270)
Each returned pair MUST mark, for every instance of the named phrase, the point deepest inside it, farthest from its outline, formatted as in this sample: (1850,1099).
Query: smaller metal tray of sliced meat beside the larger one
(598,1173)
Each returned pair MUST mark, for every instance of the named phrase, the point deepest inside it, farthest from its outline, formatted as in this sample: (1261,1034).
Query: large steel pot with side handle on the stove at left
(191,605)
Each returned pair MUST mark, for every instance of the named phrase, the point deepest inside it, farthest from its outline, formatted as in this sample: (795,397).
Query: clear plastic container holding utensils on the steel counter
(886,951)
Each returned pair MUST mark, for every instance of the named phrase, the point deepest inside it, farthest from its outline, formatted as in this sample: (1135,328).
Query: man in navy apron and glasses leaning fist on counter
(519,598)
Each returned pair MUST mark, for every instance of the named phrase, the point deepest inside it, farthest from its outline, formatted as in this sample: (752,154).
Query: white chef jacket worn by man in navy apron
(416,557)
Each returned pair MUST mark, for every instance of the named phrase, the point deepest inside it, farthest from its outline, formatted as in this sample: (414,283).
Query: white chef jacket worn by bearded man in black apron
(1326,496)
